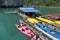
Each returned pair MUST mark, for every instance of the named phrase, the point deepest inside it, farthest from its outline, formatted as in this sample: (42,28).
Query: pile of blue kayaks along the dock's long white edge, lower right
(49,31)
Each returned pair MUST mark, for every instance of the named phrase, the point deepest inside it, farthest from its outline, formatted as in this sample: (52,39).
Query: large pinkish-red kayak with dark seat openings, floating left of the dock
(25,30)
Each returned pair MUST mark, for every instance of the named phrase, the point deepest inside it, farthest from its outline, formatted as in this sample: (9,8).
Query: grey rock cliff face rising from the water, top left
(12,2)
